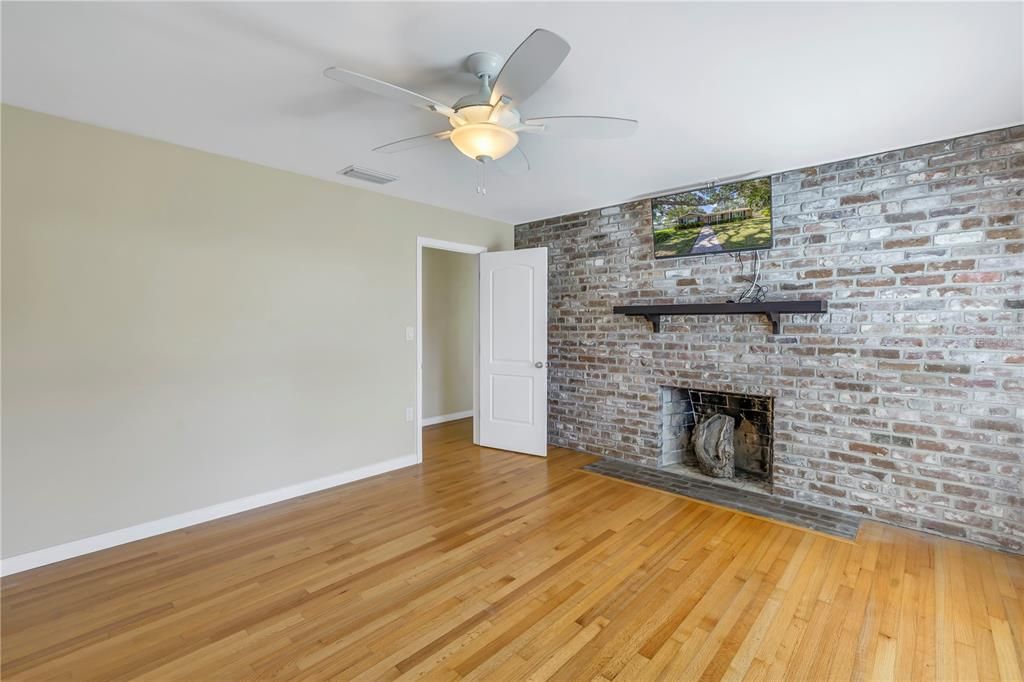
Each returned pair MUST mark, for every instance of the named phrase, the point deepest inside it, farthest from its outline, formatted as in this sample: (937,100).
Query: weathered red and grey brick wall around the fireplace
(905,403)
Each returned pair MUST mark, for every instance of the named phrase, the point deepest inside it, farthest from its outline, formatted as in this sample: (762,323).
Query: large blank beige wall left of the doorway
(182,329)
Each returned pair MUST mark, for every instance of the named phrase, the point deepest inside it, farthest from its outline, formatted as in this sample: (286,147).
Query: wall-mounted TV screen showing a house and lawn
(722,219)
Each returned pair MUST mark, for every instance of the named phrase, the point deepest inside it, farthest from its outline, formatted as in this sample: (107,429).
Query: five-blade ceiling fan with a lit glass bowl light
(486,125)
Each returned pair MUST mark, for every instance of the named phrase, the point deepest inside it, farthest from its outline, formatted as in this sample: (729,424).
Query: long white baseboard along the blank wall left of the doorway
(75,548)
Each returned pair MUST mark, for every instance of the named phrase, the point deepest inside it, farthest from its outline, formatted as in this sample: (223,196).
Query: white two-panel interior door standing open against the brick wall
(515,351)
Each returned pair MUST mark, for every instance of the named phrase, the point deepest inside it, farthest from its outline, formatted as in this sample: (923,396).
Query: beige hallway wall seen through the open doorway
(449,300)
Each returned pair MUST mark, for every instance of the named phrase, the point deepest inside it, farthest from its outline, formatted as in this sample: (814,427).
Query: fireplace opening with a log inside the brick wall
(685,409)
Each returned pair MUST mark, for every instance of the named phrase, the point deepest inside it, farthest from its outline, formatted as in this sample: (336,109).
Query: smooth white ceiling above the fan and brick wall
(719,89)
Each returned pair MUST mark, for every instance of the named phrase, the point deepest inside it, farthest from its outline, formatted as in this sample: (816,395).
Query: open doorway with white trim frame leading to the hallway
(447,333)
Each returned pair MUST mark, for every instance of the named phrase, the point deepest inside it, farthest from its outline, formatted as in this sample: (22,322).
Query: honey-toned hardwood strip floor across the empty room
(490,566)
